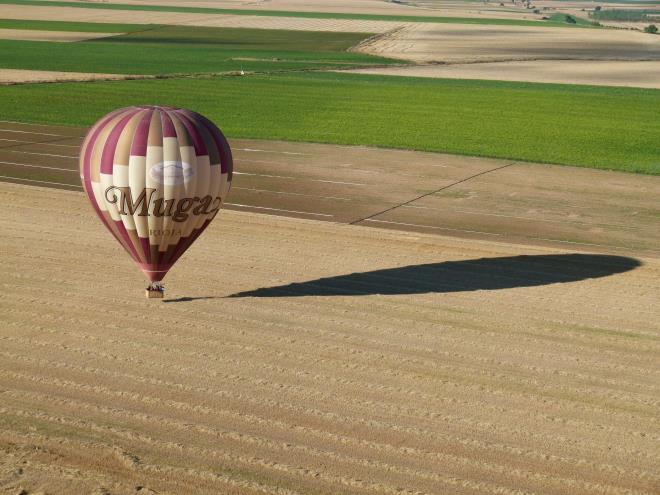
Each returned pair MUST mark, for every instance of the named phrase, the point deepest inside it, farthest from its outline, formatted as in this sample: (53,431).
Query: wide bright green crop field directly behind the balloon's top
(590,126)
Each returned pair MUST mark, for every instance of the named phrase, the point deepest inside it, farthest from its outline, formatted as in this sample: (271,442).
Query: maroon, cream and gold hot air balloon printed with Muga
(156,177)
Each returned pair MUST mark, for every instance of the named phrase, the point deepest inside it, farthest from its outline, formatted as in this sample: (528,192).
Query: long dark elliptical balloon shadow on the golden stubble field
(458,276)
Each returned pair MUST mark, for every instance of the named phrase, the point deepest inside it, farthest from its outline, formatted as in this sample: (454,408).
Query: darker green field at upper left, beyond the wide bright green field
(161,50)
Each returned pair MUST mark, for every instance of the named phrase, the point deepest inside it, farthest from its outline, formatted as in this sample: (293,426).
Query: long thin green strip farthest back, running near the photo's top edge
(279,13)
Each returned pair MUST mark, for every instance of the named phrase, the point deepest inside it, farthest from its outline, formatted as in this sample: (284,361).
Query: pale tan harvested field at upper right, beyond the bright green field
(521,53)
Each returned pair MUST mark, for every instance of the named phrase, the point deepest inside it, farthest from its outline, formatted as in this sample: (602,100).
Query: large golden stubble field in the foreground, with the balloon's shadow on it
(349,360)
